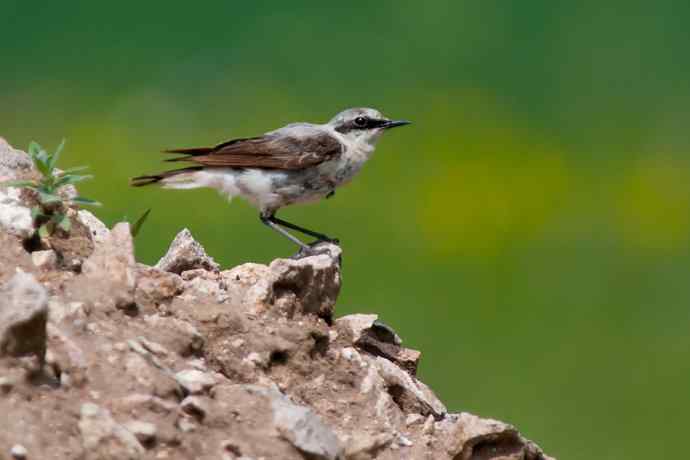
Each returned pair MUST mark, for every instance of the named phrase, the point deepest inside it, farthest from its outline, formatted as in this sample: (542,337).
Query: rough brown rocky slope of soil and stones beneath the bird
(246,363)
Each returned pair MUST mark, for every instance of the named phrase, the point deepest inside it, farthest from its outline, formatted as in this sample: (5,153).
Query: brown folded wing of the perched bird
(283,149)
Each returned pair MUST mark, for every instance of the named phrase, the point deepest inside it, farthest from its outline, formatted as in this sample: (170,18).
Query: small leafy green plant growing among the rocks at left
(50,212)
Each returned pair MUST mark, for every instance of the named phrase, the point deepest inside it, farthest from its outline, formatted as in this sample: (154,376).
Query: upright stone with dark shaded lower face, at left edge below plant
(23,317)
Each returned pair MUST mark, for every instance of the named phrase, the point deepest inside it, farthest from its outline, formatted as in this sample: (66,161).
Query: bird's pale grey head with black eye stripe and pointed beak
(363,124)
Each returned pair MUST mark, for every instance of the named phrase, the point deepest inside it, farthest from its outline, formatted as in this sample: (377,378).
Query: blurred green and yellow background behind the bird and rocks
(529,232)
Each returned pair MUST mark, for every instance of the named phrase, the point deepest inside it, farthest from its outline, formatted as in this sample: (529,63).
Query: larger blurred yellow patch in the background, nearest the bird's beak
(481,205)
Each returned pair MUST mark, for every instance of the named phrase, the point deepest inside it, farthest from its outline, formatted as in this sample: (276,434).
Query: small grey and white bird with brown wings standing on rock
(298,163)
